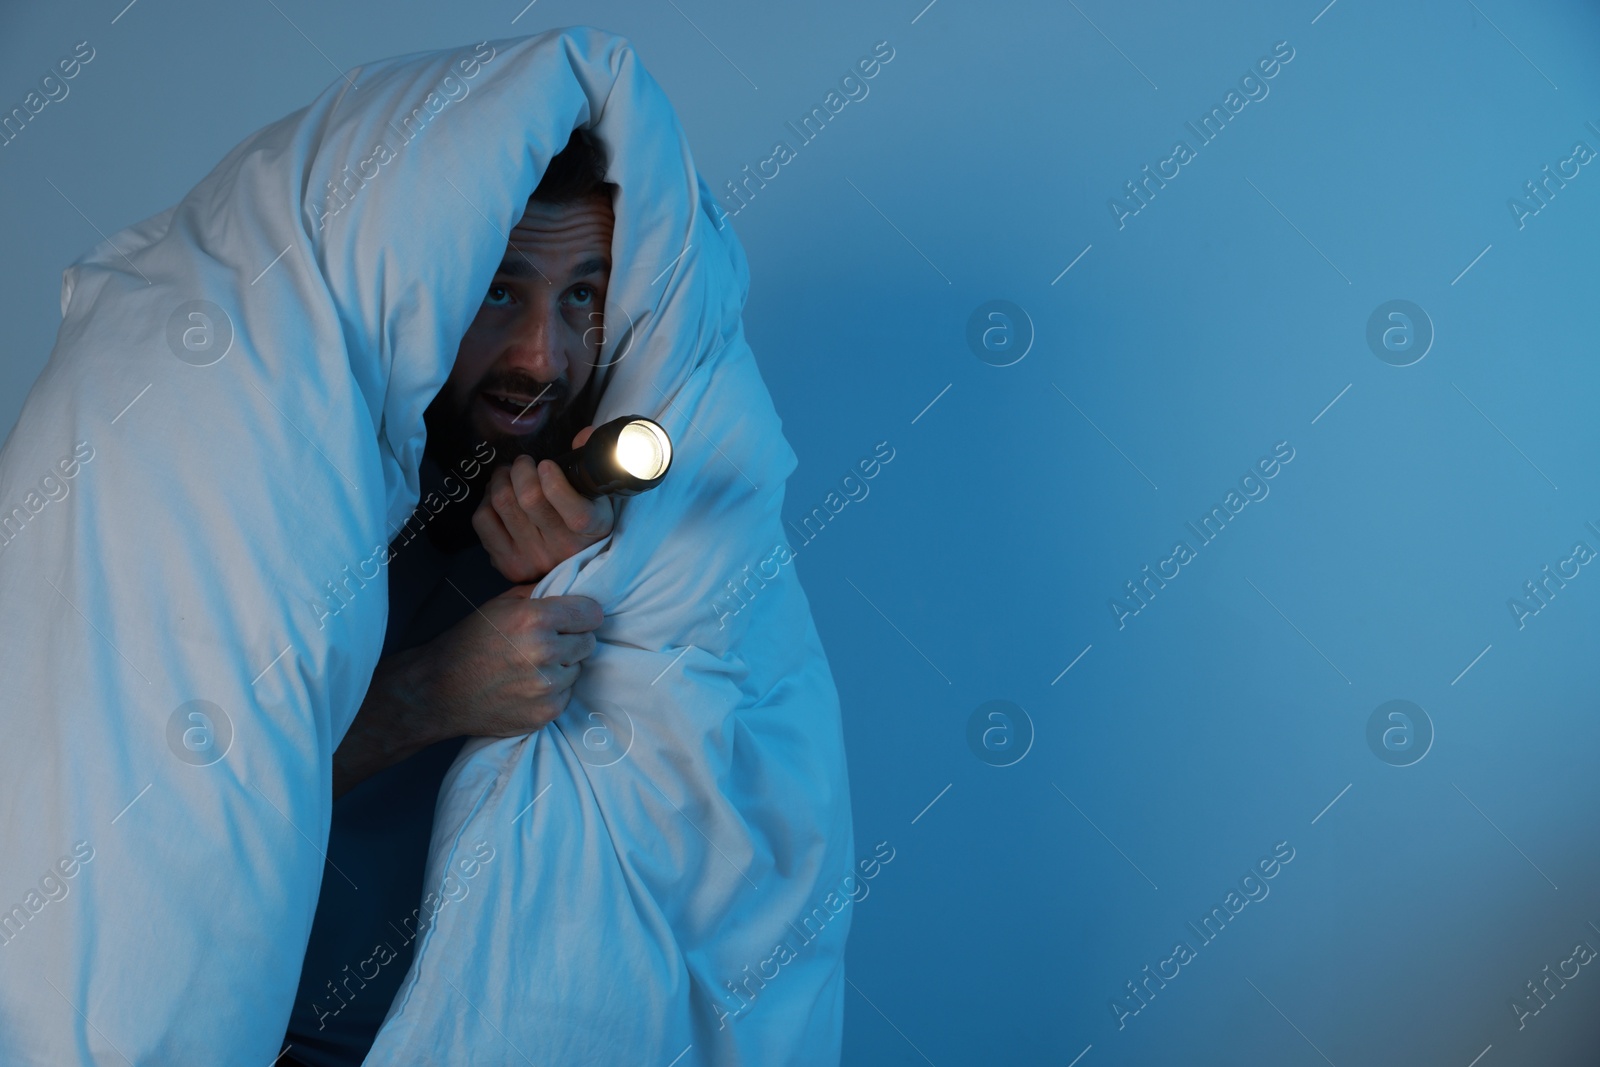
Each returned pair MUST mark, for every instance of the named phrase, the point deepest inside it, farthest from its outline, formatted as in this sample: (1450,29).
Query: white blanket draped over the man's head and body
(196,506)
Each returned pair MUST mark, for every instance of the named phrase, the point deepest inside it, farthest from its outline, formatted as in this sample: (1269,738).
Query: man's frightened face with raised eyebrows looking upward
(537,338)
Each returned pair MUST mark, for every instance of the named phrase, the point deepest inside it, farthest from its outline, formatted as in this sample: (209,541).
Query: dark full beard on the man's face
(454,442)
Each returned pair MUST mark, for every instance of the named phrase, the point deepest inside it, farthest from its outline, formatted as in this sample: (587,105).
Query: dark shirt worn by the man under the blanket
(372,887)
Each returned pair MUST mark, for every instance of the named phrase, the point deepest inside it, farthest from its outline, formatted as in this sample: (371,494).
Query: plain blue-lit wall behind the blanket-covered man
(1220,321)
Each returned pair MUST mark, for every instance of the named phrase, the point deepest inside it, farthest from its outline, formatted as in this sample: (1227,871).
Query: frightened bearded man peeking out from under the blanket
(468,653)
